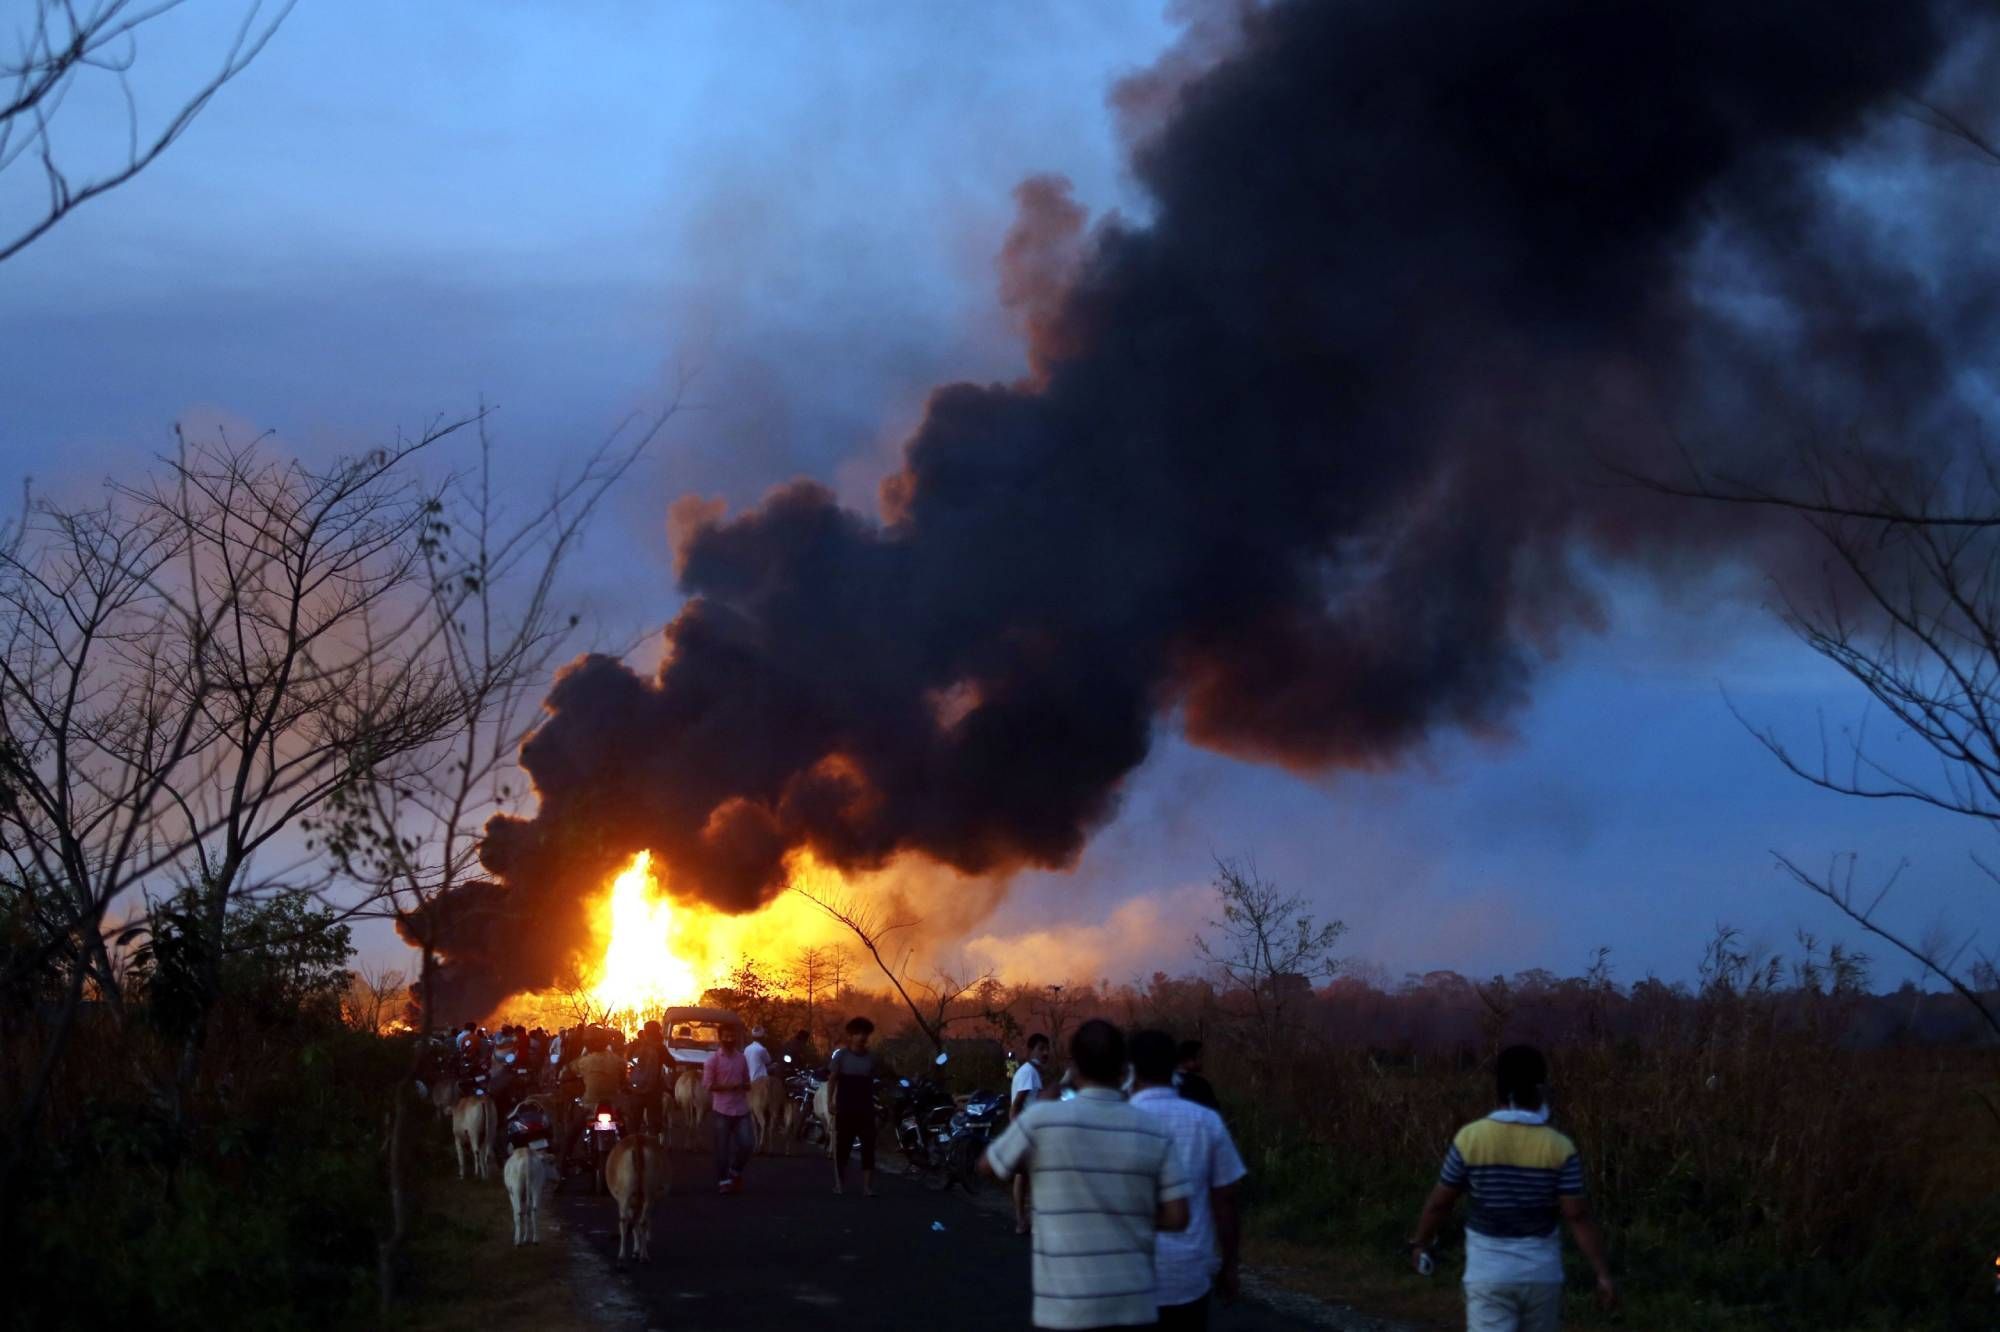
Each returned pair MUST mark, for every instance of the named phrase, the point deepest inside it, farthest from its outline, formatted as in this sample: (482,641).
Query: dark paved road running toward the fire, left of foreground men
(787,1253)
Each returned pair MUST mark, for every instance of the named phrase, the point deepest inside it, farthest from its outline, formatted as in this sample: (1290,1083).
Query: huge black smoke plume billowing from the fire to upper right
(1315,459)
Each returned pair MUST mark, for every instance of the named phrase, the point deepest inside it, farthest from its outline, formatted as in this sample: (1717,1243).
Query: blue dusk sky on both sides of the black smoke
(565,211)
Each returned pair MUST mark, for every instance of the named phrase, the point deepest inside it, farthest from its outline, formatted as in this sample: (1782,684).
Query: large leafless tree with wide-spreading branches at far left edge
(187,671)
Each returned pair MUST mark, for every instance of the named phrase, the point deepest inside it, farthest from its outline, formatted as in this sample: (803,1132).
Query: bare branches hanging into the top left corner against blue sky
(73,45)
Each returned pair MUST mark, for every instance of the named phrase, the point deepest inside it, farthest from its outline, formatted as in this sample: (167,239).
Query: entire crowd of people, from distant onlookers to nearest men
(1123,1169)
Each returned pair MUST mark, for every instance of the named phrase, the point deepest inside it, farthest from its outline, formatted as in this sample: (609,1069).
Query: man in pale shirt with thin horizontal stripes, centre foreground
(1105,1181)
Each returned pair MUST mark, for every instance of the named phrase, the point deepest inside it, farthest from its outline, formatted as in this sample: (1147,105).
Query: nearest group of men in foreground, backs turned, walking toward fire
(1131,1183)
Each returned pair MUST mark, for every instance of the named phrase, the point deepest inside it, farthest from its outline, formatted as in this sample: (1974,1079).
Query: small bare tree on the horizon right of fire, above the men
(1269,949)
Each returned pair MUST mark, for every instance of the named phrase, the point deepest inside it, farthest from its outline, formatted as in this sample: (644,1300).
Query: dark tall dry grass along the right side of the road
(1743,1157)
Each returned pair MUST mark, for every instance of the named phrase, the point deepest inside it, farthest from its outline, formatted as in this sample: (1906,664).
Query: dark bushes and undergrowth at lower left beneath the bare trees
(265,1195)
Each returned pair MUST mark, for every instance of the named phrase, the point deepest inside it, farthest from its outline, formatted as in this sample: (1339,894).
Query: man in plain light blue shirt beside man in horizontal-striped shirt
(1201,1259)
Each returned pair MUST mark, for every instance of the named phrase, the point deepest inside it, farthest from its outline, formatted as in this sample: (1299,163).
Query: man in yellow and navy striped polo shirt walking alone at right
(1523,1177)
